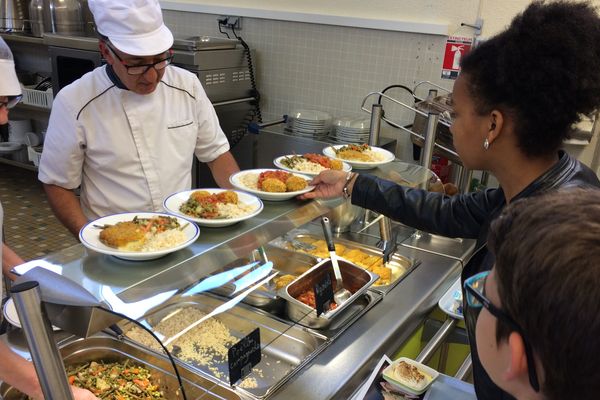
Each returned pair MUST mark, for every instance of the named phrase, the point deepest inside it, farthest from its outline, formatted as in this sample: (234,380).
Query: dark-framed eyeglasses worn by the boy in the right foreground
(474,289)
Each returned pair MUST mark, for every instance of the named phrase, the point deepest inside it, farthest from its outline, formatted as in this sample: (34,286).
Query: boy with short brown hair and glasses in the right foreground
(538,329)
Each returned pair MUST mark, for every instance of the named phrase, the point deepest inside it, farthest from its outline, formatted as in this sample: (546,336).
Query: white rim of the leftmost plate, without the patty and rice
(90,236)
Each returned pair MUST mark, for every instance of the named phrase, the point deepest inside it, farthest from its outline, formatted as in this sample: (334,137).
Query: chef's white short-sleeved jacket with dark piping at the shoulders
(129,151)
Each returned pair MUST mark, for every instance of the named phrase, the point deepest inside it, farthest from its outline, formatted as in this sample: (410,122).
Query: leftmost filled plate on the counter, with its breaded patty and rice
(138,236)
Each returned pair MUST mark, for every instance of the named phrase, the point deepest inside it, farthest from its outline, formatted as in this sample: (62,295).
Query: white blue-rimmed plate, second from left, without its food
(174,202)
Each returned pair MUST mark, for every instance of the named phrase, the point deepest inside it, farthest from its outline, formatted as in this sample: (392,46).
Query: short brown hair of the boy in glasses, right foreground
(547,251)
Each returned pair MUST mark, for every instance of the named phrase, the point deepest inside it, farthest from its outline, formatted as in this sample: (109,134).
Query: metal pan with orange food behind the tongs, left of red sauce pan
(285,262)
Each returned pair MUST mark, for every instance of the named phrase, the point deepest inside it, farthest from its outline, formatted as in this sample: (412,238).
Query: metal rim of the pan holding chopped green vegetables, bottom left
(109,349)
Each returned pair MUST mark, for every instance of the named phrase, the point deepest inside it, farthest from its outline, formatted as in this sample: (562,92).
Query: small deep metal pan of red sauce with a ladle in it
(357,280)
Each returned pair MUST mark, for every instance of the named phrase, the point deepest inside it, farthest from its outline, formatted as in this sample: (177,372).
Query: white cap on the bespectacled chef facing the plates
(133,26)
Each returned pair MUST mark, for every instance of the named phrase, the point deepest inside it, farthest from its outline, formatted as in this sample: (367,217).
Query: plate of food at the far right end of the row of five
(360,156)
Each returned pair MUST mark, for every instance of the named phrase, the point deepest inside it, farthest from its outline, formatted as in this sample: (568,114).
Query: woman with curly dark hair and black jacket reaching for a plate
(514,103)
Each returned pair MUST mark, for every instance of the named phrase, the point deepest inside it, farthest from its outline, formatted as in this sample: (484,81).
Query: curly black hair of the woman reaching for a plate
(544,70)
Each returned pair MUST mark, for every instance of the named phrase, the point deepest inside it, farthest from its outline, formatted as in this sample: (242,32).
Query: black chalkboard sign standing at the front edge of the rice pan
(244,355)
